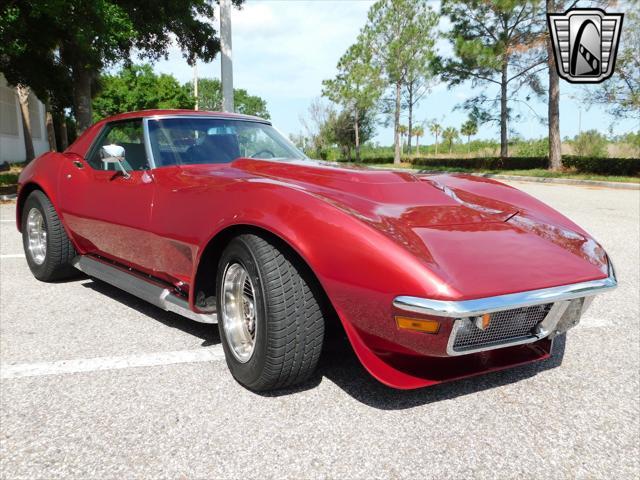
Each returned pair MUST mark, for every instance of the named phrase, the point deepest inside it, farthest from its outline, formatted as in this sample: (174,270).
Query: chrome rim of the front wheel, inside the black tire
(239,313)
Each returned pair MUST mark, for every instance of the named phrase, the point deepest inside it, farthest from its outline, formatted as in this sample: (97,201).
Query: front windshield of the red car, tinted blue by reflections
(186,141)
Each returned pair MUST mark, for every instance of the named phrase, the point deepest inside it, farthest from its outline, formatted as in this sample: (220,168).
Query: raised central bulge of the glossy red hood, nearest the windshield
(381,196)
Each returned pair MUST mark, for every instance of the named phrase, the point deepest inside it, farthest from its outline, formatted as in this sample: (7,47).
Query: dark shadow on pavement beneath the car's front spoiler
(340,365)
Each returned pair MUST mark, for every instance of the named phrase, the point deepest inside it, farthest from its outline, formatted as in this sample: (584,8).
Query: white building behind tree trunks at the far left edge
(11,132)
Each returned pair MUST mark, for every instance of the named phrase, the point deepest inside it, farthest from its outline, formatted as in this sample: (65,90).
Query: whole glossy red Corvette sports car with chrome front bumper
(217,217)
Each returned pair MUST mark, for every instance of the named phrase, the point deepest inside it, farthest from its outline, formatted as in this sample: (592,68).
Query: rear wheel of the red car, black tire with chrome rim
(46,245)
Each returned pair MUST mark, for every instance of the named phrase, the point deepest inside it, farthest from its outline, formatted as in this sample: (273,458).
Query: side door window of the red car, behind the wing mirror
(127,134)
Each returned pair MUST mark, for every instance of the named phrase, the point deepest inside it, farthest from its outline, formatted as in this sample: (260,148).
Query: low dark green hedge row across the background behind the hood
(598,165)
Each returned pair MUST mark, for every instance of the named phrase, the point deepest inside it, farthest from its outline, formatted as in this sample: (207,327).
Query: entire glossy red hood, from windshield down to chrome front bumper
(473,231)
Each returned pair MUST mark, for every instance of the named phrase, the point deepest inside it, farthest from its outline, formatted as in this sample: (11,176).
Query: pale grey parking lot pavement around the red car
(97,384)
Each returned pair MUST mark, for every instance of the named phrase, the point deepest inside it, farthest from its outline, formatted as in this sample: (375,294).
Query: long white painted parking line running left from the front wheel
(63,367)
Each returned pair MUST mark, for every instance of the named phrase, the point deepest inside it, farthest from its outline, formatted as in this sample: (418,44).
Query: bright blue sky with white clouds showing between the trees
(283,49)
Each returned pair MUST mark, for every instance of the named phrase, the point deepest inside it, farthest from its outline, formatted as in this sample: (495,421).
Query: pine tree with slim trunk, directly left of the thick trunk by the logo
(494,43)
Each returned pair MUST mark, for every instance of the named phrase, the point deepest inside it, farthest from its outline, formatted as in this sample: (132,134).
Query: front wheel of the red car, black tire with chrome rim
(269,314)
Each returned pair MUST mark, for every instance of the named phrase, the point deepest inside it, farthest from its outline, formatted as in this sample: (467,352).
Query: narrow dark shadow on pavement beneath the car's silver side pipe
(206,332)
